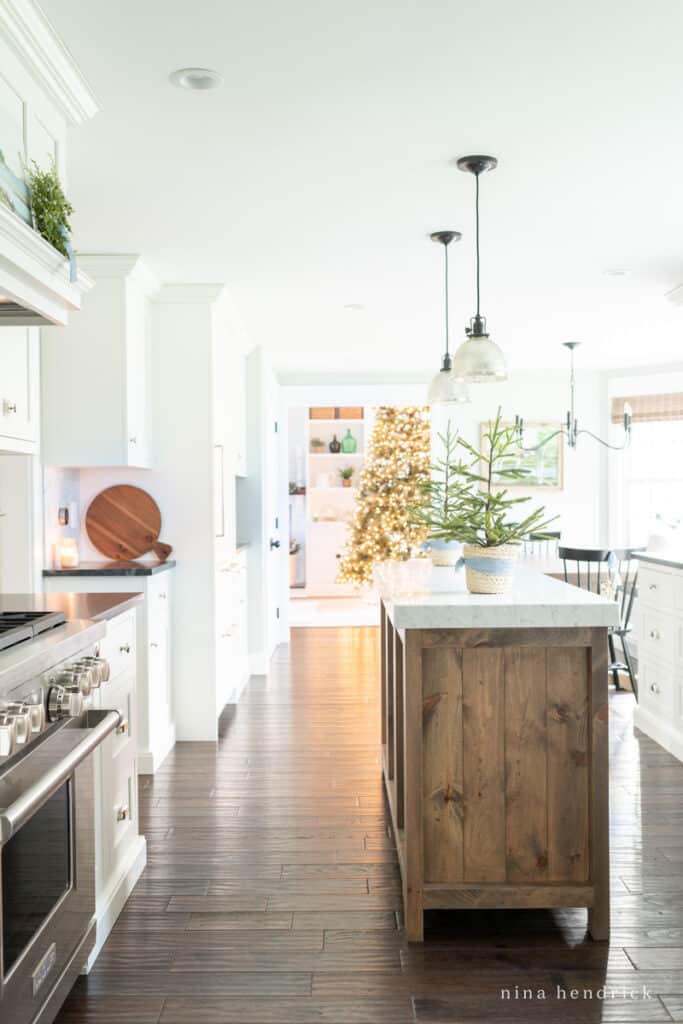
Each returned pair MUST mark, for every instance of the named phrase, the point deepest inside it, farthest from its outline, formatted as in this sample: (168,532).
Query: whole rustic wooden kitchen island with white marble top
(495,747)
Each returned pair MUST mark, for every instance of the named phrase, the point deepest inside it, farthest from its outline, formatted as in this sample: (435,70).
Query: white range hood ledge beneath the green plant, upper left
(35,276)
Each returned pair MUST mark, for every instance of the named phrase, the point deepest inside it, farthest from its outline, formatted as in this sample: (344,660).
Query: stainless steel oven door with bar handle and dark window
(48,869)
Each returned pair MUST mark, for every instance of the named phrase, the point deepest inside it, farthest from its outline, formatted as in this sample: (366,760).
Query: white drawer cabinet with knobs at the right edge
(660,711)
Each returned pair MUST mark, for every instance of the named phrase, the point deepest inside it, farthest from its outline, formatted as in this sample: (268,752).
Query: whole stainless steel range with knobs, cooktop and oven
(49,731)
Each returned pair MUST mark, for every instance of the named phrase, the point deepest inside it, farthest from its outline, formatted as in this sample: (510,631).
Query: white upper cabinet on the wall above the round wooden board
(97,406)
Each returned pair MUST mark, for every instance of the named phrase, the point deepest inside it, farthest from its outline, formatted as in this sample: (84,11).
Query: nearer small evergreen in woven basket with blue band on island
(482,516)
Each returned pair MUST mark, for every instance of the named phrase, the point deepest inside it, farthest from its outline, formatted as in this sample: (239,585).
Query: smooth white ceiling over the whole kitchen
(313,179)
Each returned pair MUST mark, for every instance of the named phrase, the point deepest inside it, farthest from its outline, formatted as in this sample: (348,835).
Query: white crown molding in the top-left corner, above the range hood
(40,49)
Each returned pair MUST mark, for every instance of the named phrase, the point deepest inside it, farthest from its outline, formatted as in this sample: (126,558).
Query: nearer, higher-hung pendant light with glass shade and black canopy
(479,361)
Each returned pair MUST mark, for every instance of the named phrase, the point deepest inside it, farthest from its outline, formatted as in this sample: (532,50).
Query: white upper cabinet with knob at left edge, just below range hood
(20,390)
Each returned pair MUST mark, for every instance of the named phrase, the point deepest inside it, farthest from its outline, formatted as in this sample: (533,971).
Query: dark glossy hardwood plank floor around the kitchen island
(272,893)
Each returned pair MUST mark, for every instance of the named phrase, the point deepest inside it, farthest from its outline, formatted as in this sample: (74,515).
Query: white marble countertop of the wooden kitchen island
(537,602)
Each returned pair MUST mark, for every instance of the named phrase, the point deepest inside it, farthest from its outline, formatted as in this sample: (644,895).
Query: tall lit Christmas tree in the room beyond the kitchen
(398,462)
